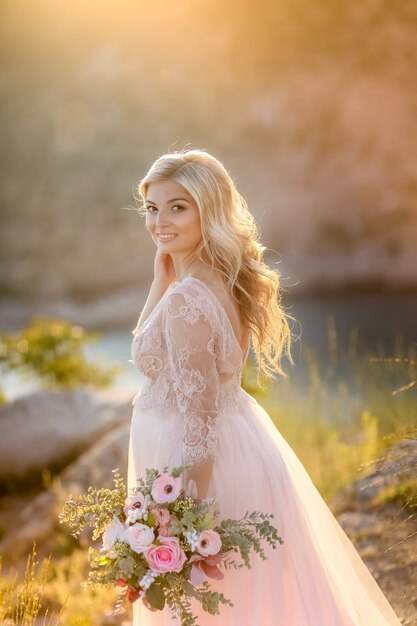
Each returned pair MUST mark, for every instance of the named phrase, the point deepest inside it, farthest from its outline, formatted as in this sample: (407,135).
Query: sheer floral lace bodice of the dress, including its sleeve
(192,361)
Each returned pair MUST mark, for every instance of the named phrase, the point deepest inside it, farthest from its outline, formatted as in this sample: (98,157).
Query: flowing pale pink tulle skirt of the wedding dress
(315,578)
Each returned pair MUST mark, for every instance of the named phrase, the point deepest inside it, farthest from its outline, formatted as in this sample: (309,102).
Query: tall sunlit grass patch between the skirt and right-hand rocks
(345,407)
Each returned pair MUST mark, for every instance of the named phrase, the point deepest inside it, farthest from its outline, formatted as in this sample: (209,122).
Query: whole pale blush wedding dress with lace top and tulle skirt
(192,406)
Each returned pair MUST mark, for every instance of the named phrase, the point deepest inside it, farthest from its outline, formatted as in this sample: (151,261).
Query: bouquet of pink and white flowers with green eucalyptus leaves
(160,545)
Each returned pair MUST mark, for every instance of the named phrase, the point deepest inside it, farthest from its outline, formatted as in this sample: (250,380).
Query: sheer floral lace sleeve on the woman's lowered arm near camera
(192,360)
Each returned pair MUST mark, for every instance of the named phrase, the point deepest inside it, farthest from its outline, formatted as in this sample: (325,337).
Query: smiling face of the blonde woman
(171,210)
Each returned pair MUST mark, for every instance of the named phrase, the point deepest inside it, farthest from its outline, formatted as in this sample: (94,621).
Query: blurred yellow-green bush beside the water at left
(52,351)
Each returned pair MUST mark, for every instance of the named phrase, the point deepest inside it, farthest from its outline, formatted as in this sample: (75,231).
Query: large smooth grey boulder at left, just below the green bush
(49,429)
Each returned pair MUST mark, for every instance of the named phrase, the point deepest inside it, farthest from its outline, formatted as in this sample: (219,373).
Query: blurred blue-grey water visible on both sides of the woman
(377,318)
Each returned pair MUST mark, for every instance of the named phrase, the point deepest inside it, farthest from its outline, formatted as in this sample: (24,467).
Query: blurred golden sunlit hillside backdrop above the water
(311,106)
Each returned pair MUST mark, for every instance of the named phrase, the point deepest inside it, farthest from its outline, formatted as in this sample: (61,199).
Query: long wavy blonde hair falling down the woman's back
(230,239)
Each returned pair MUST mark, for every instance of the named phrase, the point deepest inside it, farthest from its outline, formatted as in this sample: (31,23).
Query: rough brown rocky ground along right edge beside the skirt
(385,533)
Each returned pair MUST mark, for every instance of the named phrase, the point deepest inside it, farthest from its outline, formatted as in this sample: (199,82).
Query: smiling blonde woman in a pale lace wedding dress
(212,295)
